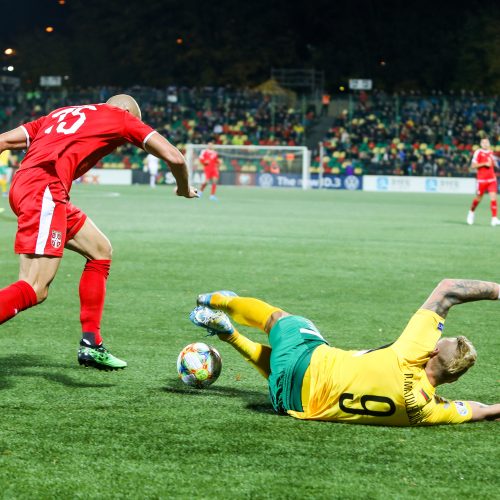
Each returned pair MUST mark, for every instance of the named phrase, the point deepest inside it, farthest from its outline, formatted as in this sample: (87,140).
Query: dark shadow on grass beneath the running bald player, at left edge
(25,365)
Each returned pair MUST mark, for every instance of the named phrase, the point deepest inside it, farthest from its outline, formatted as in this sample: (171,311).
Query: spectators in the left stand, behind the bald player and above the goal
(222,115)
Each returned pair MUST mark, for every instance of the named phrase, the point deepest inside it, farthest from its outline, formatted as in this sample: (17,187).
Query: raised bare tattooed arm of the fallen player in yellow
(451,292)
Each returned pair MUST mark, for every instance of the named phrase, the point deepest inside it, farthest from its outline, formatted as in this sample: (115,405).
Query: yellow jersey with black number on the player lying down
(385,386)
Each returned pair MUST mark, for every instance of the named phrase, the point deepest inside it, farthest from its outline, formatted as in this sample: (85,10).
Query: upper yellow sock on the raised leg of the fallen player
(244,310)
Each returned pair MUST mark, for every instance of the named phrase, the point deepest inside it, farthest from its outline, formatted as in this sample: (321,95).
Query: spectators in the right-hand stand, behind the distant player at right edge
(410,134)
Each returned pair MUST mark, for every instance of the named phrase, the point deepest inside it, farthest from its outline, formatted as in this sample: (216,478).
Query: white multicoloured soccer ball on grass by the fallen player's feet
(199,365)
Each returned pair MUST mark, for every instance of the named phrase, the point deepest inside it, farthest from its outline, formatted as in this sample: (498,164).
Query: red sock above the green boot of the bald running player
(92,295)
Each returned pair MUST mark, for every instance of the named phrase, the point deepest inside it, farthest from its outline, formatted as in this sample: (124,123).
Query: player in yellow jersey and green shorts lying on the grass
(392,385)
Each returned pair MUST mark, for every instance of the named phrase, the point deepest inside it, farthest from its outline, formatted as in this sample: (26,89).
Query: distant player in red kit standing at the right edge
(483,161)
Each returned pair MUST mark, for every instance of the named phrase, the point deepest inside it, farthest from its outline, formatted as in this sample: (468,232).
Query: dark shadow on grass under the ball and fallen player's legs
(255,400)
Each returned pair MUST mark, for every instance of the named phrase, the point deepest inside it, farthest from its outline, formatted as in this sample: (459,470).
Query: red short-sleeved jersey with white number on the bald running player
(75,138)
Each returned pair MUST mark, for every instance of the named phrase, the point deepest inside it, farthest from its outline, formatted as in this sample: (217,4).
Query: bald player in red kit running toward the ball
(61,147)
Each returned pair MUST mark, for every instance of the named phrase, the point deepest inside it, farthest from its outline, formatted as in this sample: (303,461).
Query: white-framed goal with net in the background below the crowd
(264,166)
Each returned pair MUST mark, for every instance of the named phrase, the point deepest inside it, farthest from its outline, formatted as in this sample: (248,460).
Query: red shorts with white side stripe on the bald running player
(46,219)
